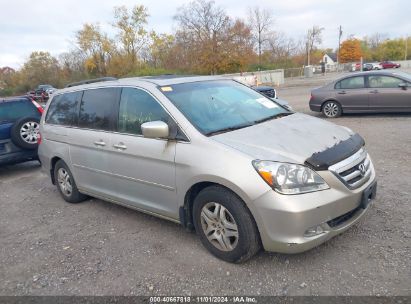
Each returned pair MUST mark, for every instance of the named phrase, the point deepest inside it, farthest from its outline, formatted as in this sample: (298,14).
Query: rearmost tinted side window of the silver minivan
(63,109)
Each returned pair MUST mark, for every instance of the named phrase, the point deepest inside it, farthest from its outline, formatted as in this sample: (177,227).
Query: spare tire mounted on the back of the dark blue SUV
(24,133)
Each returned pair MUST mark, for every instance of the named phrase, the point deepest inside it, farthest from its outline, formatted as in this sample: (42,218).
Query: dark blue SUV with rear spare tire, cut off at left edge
(19,126)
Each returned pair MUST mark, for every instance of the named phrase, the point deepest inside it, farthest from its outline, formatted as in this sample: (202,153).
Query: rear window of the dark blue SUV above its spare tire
(14,110)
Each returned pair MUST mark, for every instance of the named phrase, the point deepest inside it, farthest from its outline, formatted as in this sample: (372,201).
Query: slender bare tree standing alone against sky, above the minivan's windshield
(261,21)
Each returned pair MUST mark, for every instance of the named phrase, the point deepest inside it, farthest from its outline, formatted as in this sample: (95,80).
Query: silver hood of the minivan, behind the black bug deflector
(292,138)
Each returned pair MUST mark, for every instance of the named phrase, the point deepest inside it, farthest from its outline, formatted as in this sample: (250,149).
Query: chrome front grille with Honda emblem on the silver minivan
(355,170)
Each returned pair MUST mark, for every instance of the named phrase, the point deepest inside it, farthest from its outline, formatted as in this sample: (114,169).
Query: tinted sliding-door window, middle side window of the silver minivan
(97,108)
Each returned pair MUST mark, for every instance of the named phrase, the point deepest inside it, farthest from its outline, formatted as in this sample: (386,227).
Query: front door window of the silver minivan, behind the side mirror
(136,108)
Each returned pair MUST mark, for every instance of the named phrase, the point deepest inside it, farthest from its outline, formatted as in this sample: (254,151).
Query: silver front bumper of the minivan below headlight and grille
(283,220)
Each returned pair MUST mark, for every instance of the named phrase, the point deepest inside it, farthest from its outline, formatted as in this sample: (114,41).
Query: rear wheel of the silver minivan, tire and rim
(71,196)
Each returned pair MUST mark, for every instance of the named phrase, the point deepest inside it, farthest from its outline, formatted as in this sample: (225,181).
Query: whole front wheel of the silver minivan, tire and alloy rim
(225,226)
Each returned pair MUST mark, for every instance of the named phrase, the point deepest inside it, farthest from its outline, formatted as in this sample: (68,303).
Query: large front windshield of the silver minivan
(221,105)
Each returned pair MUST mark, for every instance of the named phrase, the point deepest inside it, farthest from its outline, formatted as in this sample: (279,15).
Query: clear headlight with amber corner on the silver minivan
(289,178)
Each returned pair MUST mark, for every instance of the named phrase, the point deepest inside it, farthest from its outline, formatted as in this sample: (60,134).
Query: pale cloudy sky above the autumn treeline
(50,25)
